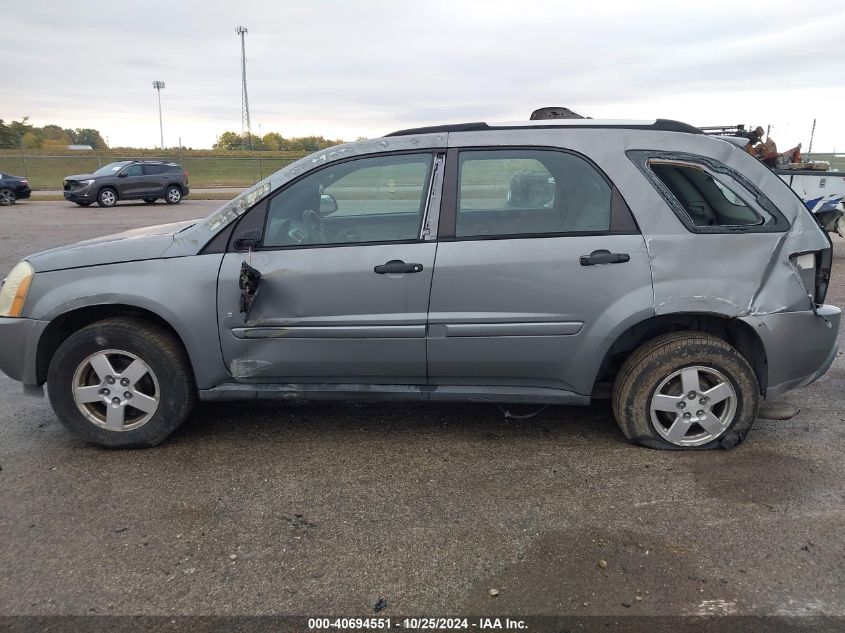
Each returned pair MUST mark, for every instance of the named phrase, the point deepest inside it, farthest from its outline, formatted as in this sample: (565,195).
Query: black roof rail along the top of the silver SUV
(661,125)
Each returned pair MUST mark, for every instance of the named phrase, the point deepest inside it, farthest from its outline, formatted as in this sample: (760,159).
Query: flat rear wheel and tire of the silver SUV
(686,390)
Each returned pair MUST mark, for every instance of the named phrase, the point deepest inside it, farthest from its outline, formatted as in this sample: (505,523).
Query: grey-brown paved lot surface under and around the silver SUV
(325,508)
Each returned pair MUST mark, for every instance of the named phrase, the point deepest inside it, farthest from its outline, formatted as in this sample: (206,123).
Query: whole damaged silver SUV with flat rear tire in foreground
(551,261)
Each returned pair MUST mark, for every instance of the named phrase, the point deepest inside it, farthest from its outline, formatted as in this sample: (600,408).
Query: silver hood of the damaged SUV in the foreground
(149,242)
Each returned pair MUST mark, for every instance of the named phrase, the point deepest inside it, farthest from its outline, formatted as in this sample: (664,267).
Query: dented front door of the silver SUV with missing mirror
(345,278)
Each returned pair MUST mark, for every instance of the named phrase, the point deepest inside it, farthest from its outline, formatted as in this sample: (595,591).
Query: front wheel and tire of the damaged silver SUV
(157,374)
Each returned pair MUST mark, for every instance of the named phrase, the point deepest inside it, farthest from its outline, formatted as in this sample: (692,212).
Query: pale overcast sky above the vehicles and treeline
(345,69)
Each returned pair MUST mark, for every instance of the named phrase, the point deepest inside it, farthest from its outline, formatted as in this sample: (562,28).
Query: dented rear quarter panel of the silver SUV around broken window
(732,274)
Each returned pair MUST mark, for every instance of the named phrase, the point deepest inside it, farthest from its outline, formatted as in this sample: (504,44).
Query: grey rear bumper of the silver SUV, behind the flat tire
(800,346)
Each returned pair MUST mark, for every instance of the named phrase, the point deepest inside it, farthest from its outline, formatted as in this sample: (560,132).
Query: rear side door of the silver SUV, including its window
(539,262)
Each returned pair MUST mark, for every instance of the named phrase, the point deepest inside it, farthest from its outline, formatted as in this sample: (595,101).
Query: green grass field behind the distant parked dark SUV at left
(206,168)
